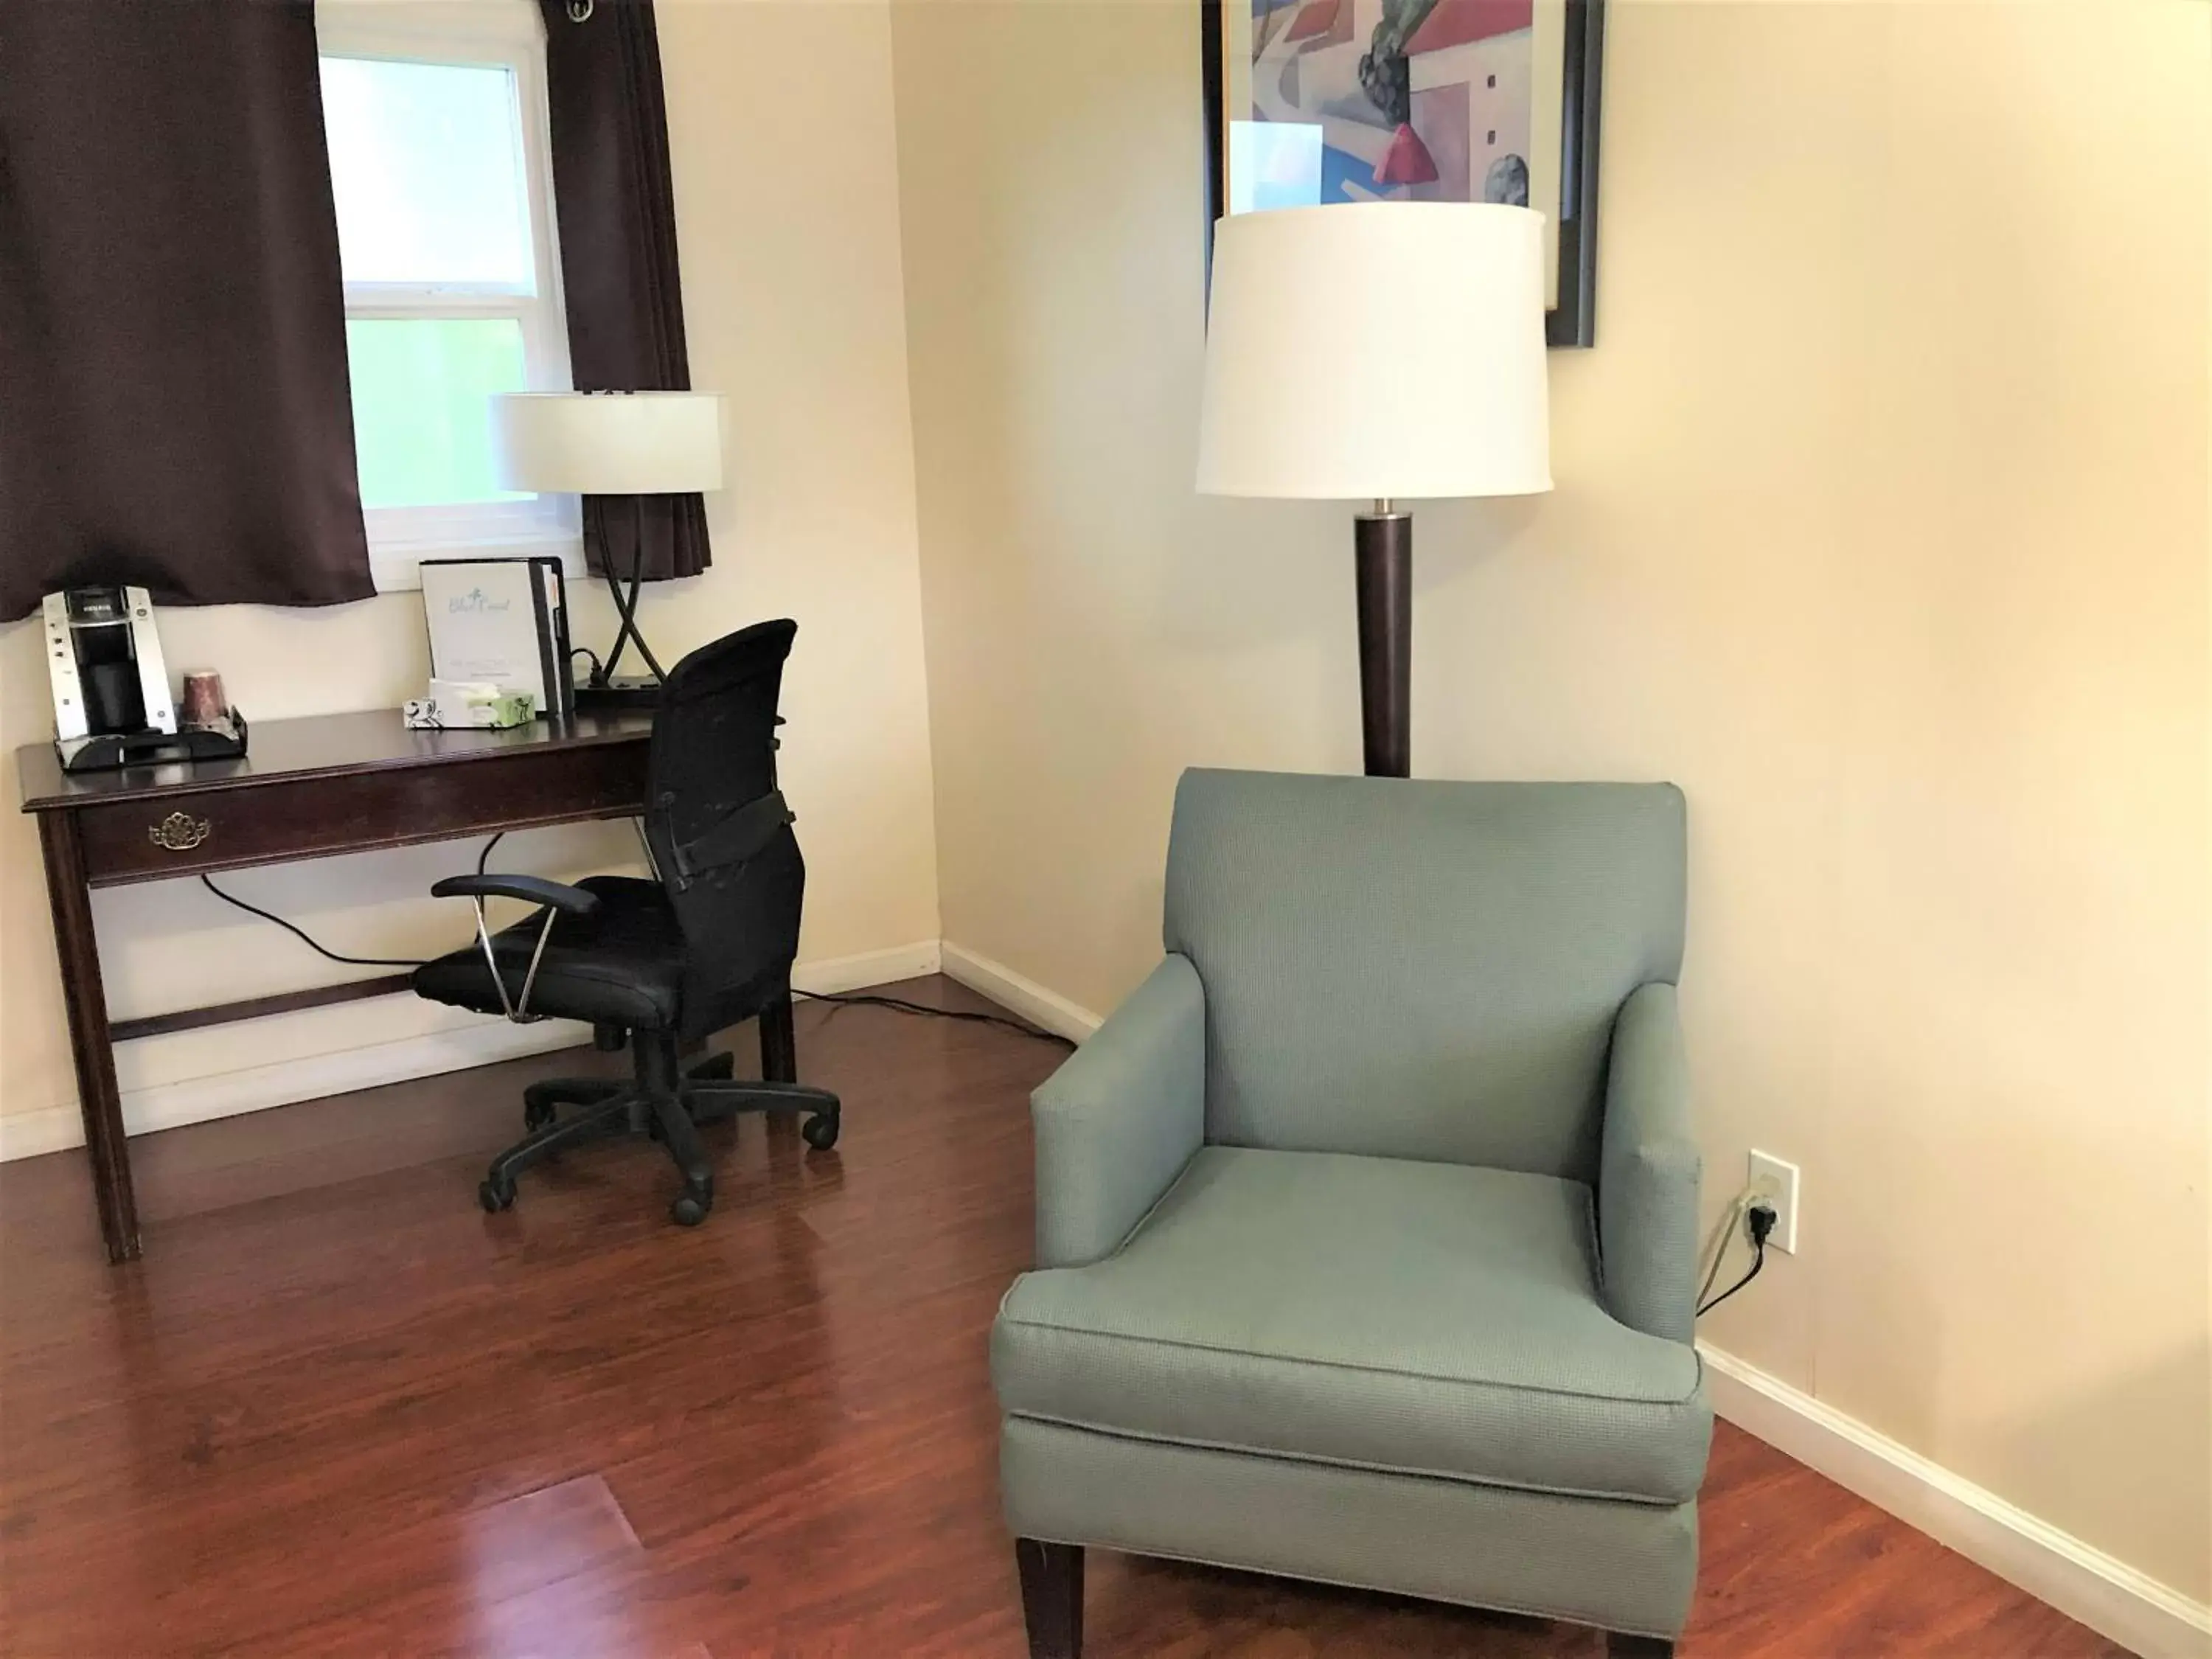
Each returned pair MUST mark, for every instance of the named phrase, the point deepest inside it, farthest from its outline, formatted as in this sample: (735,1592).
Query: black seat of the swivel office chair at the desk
(623,963)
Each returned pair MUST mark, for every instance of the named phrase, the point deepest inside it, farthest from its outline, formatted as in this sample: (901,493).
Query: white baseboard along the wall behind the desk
(229,1094)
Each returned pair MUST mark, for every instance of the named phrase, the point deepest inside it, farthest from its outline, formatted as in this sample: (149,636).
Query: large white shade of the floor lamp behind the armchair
(1377,351)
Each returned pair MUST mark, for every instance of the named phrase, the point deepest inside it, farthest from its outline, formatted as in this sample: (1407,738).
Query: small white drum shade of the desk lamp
(607,444)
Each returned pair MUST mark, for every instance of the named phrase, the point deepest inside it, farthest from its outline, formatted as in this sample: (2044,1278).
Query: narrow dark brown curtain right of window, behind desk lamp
(618,253)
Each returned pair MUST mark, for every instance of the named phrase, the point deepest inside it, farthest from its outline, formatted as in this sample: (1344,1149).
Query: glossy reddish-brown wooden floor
(337,1410)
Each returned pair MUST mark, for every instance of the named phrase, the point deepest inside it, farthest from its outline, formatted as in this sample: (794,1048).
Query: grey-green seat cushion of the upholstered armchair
(1426,1319)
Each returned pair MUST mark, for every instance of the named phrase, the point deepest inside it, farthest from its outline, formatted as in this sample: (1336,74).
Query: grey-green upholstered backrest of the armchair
(1421,970)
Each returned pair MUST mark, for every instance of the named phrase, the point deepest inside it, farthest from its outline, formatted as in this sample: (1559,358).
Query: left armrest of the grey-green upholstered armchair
(1120,1120)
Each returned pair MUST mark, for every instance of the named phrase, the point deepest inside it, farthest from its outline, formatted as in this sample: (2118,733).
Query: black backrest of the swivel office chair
(720,831)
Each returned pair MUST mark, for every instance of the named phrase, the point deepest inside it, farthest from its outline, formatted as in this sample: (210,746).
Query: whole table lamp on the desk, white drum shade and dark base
(612,444)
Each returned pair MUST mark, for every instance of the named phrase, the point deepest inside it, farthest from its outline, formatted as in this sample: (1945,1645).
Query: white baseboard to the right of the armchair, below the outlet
(2083,1583)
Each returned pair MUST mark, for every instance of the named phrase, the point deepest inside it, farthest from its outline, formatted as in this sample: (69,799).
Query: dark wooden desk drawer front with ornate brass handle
(311,817)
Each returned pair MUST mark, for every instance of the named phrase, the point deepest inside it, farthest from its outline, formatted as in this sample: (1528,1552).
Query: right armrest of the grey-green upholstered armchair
(1649,1169)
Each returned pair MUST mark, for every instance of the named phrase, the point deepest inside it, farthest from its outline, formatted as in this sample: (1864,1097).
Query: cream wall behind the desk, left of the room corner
(793,306)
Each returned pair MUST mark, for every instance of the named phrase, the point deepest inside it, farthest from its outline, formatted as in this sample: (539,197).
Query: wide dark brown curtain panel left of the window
(174,395)
